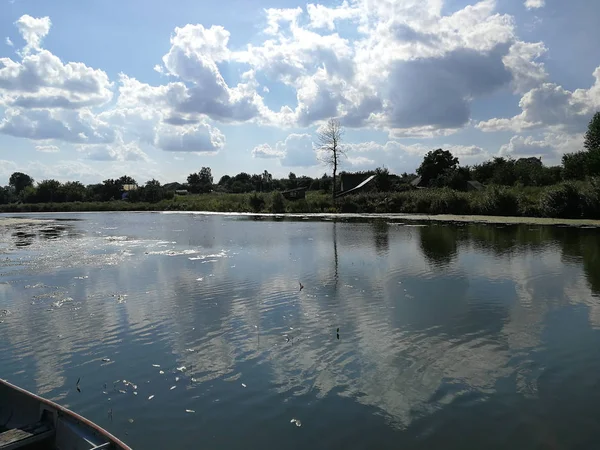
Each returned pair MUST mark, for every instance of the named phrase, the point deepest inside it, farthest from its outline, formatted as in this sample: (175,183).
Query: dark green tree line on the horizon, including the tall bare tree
(440,168)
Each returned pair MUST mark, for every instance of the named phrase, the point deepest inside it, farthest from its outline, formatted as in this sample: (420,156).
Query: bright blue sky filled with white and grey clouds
(97,89)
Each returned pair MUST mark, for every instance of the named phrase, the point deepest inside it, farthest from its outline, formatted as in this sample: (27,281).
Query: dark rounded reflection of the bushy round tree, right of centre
(439,244)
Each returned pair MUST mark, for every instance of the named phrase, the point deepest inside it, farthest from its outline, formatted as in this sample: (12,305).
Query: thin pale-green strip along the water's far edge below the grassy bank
(14,219)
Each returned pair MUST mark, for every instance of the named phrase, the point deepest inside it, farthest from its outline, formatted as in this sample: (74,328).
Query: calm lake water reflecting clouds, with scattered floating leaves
(193,331)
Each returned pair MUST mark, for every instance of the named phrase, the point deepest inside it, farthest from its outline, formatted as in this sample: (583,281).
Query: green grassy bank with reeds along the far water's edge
(567,200)
